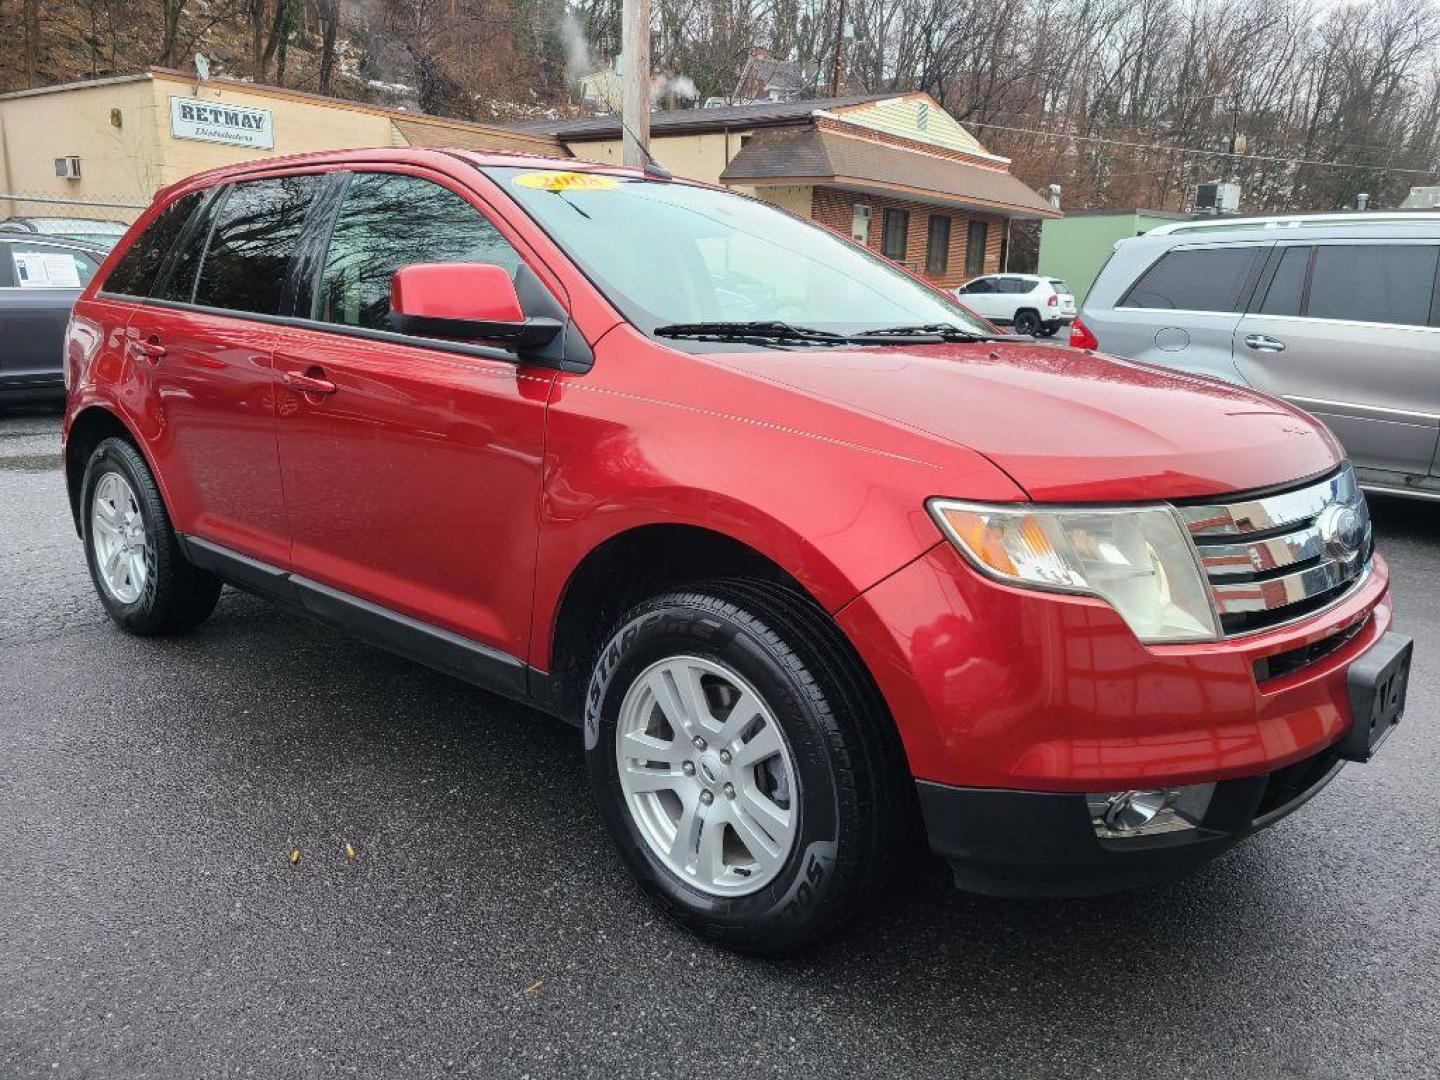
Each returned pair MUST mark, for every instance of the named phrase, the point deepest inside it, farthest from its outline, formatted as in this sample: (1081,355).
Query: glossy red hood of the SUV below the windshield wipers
(1068,426)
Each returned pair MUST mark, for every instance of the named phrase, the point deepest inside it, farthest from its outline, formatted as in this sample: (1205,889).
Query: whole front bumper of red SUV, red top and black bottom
(1014,705)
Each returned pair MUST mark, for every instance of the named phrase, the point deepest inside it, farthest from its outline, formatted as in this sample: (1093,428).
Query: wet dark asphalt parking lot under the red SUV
(153,925)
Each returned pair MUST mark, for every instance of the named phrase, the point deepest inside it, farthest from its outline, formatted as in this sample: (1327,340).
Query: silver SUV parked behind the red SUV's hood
(1336,313)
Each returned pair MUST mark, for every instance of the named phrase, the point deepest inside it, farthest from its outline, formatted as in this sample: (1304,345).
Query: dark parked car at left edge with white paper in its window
(41,277)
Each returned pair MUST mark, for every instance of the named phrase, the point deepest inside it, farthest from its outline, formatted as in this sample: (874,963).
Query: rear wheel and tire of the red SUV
(150,588)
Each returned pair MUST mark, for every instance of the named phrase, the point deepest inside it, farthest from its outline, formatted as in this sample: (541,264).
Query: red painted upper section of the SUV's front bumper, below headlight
(1000,688)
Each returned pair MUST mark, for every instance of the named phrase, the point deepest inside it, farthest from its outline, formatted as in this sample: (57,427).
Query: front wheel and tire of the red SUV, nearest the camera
(840,777)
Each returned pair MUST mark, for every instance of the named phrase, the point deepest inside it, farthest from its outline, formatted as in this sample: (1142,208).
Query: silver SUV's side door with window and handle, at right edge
(1344,329)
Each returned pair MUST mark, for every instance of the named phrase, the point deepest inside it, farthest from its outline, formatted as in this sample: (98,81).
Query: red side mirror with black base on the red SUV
(466,300)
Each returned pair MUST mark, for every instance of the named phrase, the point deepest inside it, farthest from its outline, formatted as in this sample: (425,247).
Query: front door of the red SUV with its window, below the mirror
(415,482)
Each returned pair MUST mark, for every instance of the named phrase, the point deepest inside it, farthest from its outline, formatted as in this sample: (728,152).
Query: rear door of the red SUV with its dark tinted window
(205,362)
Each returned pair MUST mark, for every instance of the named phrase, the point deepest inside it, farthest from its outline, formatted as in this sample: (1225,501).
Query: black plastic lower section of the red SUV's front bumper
(1014,843)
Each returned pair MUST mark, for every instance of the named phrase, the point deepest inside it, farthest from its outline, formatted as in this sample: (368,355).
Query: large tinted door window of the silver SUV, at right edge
(1374,283)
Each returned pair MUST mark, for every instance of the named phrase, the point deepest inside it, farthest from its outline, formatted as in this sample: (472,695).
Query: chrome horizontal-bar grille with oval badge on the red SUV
(1278,558)
